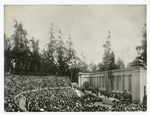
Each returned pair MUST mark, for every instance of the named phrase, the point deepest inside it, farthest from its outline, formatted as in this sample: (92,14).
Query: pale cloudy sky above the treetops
(88,26)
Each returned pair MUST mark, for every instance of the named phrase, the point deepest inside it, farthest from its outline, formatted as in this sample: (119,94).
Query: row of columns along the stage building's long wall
(119,82)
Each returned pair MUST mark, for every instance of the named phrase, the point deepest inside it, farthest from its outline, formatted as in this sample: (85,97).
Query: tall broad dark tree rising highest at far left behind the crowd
(20,49)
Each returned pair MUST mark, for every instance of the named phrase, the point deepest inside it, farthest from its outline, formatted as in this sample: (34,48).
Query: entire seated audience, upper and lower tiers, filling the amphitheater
(51,93)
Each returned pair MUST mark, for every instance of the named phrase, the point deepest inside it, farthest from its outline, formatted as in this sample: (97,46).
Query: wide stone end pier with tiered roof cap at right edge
(139,79)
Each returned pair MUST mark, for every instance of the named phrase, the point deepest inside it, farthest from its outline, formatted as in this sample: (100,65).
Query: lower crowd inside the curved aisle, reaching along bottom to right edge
(67,100)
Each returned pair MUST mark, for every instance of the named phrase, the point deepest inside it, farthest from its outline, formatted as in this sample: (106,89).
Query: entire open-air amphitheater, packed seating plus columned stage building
(55,93)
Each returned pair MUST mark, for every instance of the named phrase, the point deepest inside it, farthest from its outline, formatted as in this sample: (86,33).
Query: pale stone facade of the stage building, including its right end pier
(134,80)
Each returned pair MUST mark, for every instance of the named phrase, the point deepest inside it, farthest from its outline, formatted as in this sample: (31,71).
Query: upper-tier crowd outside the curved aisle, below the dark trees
(16,84)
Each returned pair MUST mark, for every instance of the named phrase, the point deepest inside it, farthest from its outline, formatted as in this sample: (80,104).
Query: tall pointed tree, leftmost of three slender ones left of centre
(49,54)
